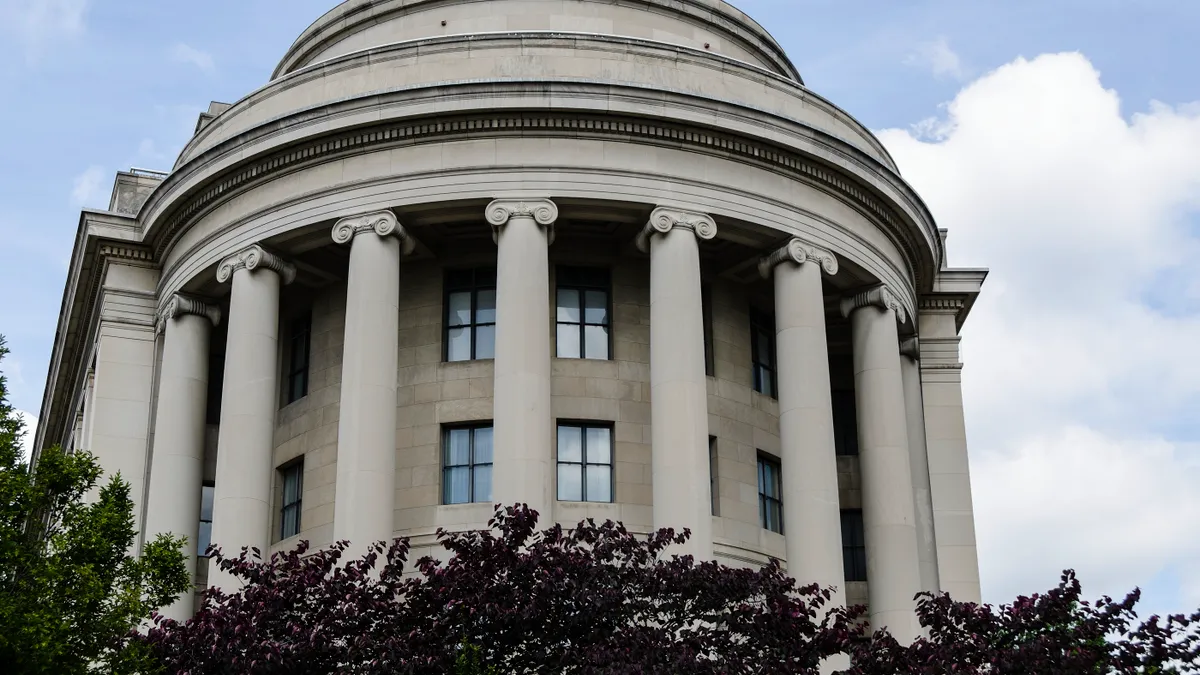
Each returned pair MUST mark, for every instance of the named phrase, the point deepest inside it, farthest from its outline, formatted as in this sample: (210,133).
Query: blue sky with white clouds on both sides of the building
(1059,142)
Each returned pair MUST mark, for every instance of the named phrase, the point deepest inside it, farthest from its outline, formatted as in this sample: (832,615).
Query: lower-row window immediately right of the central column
(585,463)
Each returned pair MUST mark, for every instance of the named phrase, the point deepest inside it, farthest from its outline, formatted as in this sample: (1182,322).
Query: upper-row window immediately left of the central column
(471,315)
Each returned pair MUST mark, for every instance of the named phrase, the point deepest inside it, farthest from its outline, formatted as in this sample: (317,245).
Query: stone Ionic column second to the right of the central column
(812,510)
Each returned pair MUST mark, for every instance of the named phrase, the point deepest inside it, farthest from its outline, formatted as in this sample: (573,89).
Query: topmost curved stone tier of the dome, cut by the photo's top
(703,25)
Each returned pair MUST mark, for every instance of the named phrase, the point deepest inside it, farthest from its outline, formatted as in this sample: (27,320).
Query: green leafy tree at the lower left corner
(70,592)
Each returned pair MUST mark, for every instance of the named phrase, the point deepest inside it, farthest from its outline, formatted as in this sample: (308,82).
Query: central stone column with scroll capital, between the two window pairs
(524,470)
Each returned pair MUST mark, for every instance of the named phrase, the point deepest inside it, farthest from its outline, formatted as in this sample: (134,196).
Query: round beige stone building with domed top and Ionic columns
(611,259)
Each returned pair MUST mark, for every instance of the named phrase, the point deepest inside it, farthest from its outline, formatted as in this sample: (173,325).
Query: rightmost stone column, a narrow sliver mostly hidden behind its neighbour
(919,461)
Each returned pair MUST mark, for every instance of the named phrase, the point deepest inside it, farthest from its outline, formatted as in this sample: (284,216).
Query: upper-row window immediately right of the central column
(584,318)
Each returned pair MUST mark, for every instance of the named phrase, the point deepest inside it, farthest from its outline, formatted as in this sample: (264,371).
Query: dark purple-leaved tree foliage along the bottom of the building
(598,600)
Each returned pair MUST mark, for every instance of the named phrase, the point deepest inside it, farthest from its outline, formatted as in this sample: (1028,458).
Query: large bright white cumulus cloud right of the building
(1081,380)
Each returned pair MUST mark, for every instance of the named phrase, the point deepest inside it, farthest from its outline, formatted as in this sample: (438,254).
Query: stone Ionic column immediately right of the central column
(679,390)
